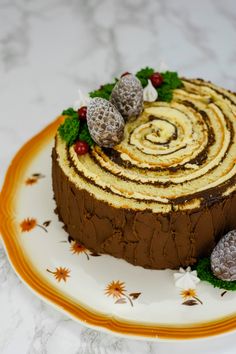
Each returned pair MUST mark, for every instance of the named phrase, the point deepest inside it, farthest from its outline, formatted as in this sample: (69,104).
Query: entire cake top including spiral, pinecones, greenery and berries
(152,141)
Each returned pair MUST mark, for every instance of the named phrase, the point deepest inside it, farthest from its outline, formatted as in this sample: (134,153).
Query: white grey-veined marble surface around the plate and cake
(49,49)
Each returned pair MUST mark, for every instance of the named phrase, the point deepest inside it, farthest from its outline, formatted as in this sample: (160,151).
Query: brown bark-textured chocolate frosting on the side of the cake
(144,238)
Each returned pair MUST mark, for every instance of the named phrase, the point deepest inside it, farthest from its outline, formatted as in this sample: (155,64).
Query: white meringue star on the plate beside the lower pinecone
(186,279)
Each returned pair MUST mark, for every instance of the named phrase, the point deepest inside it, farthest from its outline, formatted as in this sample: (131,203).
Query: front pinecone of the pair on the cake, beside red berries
(105,123)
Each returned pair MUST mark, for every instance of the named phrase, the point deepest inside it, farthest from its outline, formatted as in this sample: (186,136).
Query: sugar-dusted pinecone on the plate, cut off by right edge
(223,257)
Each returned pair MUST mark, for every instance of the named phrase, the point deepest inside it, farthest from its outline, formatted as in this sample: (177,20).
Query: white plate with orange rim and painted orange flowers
(98,290)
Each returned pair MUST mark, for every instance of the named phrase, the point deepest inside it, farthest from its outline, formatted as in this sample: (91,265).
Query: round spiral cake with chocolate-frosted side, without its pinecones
(166,193)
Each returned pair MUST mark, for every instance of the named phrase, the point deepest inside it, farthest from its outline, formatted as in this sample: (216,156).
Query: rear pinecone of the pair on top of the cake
(127,96)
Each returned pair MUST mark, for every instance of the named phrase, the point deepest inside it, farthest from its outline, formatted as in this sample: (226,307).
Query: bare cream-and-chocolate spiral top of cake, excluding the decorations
(175,156)
